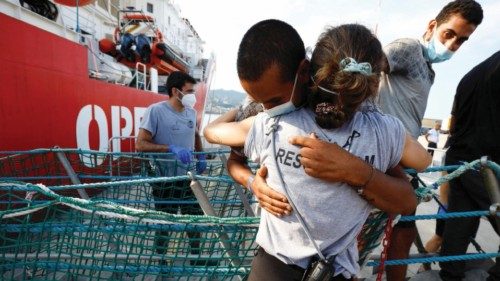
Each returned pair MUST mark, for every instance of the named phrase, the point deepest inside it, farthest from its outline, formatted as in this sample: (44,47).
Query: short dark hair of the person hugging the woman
(270,42)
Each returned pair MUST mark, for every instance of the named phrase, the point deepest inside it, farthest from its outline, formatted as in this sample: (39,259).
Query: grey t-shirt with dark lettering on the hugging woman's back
(334,212)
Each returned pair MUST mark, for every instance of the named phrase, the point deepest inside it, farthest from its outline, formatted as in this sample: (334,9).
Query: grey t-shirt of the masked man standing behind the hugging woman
(404,91)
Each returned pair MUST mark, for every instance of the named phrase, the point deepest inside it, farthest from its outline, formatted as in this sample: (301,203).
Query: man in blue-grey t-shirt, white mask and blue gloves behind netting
(170,126)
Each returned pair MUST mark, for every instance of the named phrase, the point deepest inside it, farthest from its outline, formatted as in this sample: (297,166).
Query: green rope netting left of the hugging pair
(63,242)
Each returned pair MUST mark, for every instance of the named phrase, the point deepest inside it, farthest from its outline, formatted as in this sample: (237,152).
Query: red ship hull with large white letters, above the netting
(48,99)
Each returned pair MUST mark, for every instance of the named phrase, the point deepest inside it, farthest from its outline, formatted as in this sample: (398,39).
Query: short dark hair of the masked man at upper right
(470,10)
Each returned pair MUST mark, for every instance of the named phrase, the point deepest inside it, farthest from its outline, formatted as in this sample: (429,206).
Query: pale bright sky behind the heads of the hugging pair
(222,23)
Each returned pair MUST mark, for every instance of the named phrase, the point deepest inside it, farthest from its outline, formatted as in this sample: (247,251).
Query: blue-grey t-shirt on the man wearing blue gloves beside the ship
(168,126)
